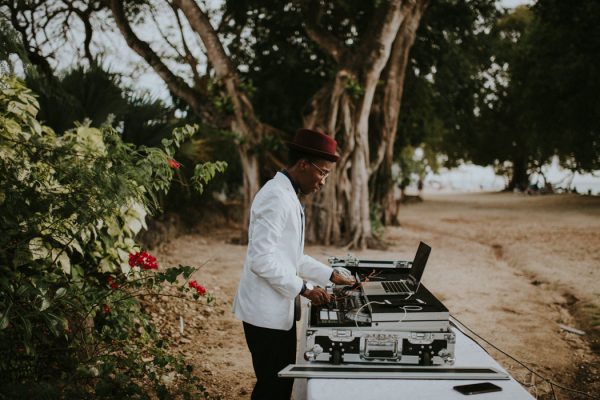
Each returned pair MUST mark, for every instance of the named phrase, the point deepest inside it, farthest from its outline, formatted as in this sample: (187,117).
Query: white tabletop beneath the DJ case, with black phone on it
(468,354)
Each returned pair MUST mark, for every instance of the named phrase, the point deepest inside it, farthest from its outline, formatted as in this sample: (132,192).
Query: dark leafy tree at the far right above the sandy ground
(543,92)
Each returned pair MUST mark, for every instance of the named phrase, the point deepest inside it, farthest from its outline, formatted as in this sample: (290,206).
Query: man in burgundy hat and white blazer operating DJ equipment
(275,265)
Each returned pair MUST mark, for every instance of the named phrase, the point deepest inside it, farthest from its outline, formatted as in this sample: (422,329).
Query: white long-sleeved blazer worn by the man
(275,260)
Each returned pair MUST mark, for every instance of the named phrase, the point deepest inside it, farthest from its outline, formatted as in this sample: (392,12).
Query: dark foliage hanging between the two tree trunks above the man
(284,66)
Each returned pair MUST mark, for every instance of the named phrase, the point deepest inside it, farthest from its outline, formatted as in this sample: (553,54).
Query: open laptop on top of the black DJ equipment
(407,286)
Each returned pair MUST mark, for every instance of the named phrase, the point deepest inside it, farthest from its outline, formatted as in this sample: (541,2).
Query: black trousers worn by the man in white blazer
(271,350)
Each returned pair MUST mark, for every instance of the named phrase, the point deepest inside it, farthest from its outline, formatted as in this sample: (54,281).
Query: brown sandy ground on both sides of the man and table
(511,267)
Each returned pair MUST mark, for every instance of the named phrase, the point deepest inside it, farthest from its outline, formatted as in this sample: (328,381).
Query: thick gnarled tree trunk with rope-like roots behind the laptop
(342,213)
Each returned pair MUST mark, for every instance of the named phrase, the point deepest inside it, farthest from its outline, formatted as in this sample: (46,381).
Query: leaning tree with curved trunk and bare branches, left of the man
(53,20)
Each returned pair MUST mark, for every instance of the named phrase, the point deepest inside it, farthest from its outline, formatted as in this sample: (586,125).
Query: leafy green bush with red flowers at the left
(70,207)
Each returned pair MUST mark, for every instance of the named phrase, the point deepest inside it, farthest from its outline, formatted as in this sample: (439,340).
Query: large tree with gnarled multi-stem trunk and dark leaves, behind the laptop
(348,44)
